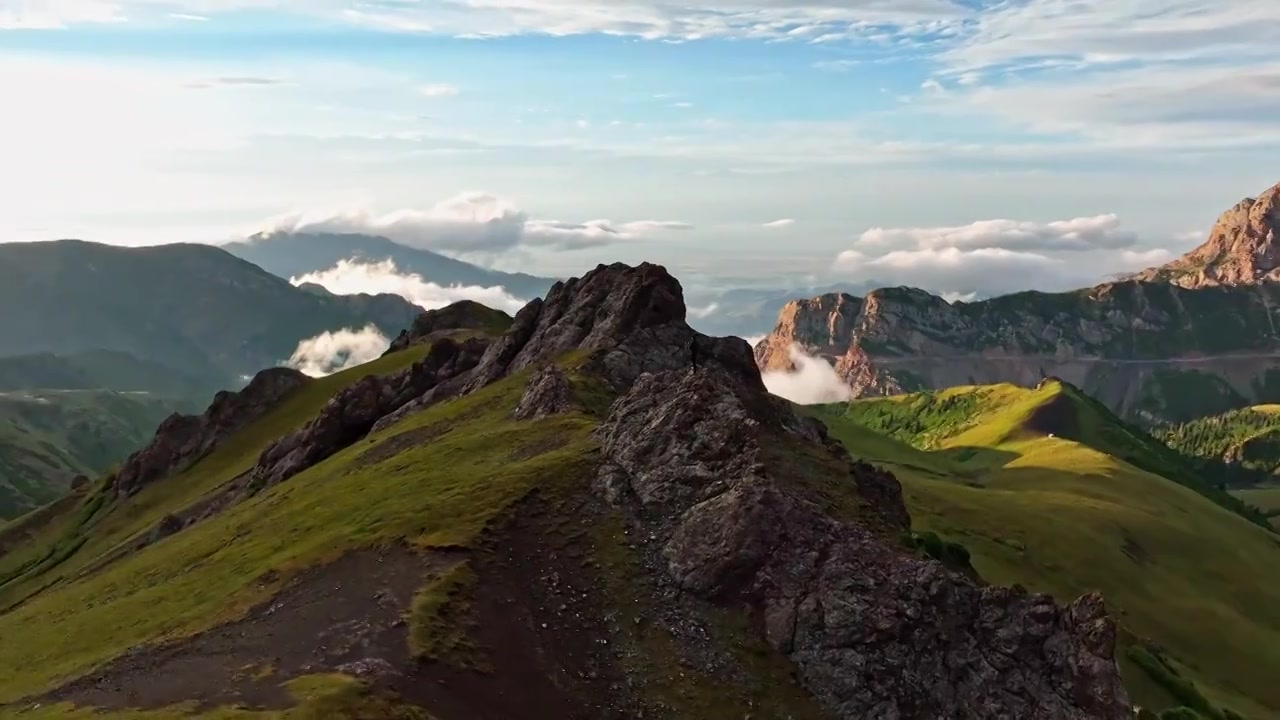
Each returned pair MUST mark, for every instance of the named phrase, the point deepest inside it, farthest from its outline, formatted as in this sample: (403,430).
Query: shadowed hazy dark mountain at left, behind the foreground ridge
(195,309)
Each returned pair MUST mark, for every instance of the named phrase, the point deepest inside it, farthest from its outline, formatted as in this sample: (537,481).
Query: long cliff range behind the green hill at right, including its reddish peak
(1194,338)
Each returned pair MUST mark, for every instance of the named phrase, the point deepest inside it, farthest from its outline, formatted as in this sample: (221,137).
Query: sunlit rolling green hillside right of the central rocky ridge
(1069,516)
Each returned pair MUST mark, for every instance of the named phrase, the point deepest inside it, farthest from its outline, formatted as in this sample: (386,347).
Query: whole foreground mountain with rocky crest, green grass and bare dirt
(551,516)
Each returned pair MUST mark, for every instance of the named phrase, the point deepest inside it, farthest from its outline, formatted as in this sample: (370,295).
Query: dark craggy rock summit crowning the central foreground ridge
(632,318)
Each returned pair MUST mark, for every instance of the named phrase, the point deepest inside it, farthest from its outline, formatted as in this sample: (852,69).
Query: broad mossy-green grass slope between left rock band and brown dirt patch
(441,494)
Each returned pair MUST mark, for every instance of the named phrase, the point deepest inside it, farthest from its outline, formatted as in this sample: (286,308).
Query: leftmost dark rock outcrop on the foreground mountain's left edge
(182,440)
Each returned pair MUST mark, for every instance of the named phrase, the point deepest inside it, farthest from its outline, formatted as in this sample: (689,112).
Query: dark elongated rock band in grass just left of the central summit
(354,412)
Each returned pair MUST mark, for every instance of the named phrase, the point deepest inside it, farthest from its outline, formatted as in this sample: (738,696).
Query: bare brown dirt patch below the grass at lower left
(342,617)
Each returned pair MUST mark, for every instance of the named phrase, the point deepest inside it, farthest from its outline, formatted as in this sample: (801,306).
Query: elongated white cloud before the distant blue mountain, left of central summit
(350,277)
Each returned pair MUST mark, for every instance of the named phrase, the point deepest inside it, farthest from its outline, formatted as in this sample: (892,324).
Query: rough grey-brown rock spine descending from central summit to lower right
(874,631)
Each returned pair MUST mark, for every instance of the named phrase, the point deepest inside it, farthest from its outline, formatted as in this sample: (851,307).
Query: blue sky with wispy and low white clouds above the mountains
(964,147)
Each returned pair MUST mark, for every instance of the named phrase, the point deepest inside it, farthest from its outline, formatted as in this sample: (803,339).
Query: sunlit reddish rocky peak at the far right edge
(1242,249)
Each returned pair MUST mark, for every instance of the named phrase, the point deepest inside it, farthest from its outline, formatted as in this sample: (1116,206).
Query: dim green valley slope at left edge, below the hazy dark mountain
(48,438)
